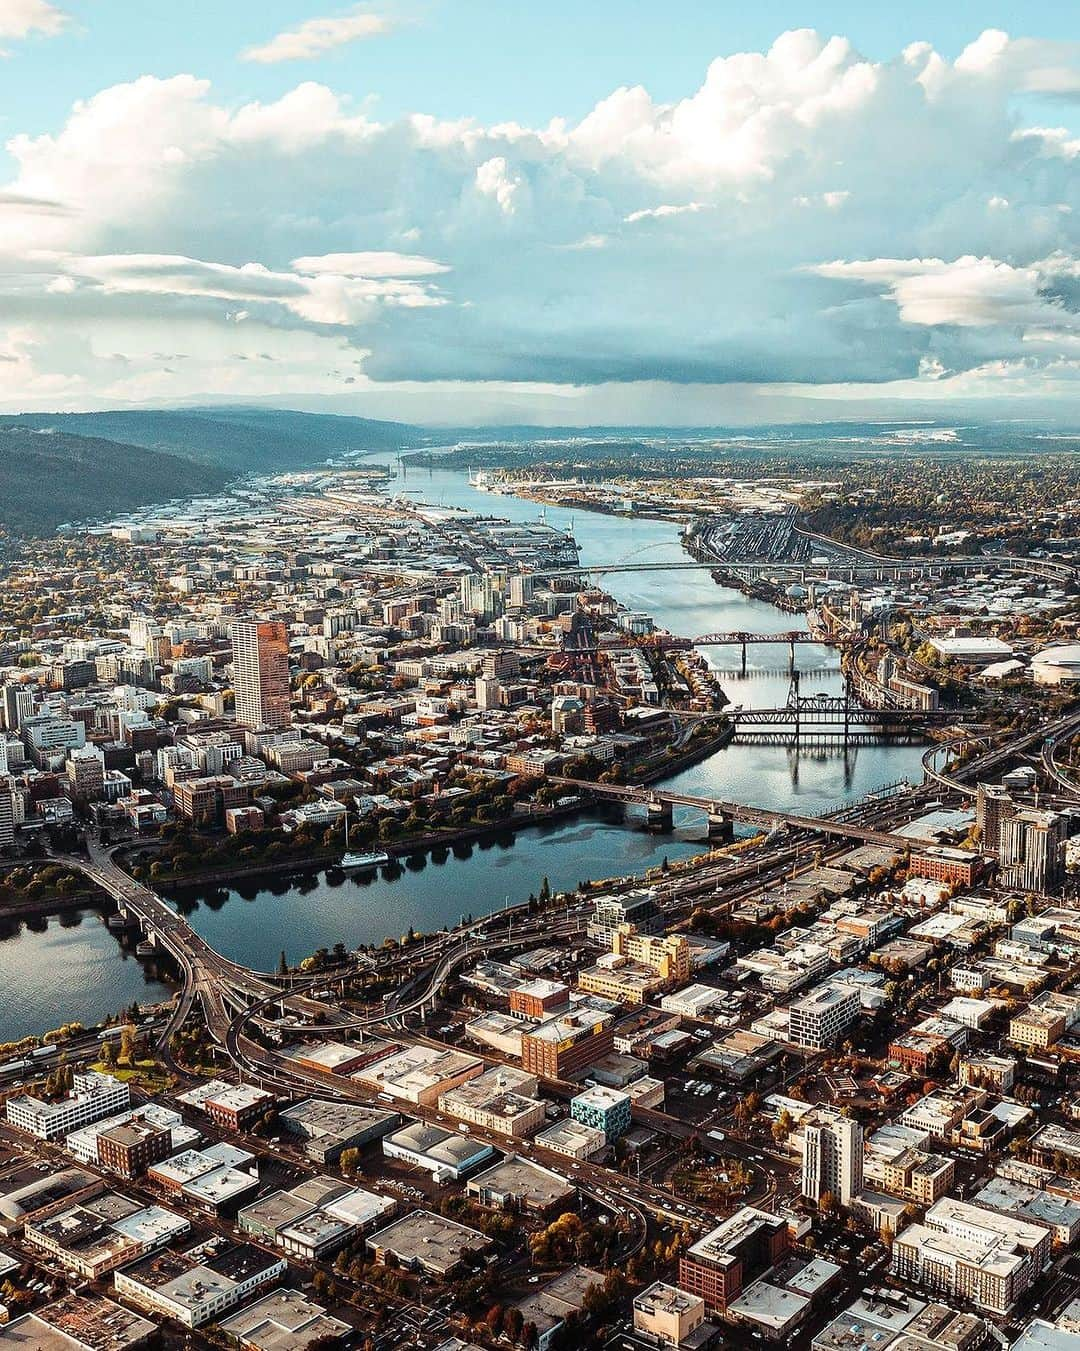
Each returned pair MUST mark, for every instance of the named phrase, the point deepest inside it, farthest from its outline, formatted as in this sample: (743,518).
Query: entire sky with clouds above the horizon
(563,213)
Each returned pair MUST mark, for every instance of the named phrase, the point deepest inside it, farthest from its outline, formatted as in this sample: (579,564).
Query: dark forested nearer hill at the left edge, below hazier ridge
(48,479)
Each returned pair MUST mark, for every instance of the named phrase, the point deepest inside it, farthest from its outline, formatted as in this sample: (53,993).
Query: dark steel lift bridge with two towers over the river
(831,721)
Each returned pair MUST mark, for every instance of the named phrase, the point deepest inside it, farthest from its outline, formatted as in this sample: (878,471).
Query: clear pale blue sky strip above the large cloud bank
(493,60)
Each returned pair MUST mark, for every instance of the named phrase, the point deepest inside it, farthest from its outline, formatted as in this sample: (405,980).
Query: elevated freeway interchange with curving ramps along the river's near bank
(241,1007)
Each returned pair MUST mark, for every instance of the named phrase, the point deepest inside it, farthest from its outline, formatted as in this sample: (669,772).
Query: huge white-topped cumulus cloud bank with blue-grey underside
(806,217)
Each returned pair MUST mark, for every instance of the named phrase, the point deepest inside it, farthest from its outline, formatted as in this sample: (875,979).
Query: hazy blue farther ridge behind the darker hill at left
(239,440)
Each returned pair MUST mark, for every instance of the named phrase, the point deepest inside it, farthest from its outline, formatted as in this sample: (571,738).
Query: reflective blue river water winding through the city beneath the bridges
(57,972)
